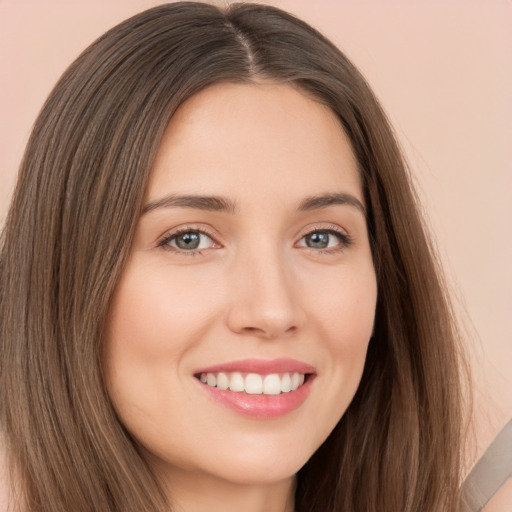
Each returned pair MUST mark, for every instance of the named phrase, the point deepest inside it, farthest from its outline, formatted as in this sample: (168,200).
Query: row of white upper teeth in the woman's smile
(254,383)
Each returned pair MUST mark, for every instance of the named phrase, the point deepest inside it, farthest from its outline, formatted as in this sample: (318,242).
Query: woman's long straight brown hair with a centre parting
(70,227)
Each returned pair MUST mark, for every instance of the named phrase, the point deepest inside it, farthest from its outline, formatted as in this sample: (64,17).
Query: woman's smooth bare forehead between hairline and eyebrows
(245,138)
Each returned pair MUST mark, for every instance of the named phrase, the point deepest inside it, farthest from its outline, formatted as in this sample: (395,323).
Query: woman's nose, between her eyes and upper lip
(263,297)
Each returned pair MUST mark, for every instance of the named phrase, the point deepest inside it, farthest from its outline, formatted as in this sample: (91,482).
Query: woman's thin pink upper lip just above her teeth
(261,366)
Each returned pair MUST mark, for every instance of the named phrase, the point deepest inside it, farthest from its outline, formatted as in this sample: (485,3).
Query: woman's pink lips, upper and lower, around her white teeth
(261,406)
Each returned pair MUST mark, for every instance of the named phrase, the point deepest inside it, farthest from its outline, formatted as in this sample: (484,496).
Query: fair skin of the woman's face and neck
(255,289)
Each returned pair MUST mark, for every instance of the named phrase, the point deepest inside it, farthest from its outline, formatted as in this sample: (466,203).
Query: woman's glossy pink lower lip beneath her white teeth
(261,406)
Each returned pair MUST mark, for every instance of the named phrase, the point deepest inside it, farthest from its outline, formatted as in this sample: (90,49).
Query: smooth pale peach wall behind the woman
(443,71)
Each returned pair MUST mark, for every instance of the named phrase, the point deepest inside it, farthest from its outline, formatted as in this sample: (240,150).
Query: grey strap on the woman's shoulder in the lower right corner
(491,471)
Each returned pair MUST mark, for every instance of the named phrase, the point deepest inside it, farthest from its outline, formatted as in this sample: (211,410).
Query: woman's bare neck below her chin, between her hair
(194,492)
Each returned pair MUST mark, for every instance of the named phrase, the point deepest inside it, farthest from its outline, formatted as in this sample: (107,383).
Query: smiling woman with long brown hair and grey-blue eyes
(216,288)
